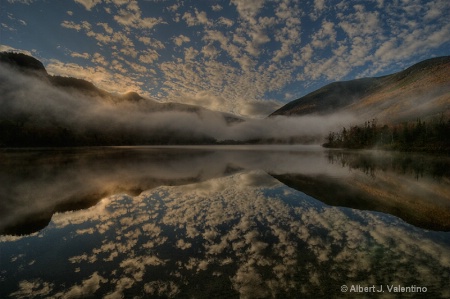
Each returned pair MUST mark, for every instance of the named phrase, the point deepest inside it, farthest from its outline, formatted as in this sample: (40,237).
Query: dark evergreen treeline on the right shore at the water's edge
(431,136)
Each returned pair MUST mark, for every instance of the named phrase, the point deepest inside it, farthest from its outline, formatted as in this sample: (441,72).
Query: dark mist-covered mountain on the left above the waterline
(37,109)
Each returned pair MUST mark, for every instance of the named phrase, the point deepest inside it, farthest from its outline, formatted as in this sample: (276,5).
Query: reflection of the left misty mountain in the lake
(35,184)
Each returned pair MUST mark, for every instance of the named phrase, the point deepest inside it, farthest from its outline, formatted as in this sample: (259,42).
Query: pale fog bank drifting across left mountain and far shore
(31,101)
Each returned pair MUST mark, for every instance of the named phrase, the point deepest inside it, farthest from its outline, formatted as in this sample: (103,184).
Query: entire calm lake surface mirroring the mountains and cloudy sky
(223,222)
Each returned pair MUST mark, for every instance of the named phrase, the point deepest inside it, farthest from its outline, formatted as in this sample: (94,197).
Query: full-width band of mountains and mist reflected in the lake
(35,184)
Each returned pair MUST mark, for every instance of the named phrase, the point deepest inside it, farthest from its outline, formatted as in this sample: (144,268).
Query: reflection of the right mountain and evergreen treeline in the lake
(414,187)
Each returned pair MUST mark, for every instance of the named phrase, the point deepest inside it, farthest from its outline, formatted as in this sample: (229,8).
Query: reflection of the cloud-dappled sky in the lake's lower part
(242,235)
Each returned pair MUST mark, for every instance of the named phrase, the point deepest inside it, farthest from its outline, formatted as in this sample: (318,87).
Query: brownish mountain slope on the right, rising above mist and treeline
(422,90)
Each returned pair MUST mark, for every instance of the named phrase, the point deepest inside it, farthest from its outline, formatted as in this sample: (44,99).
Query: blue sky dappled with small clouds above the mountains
(246,57)
